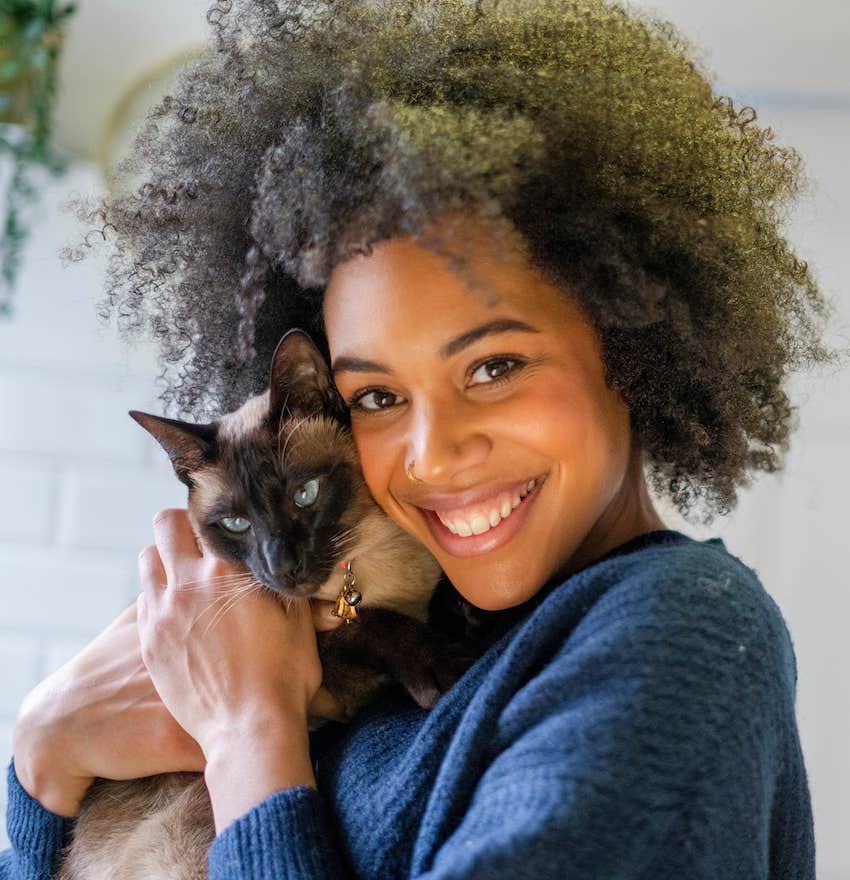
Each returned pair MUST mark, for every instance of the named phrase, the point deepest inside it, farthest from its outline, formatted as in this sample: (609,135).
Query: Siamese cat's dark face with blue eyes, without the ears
(284,502)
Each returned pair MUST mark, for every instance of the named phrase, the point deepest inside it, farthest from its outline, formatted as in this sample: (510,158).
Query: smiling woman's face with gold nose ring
(495,399)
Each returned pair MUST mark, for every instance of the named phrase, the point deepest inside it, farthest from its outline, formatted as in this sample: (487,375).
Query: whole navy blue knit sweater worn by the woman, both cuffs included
(637,722)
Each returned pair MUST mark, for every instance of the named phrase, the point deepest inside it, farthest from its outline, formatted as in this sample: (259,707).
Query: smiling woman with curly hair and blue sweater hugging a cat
(543,256)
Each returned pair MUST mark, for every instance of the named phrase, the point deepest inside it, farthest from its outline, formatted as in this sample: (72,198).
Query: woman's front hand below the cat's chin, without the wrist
(222,652)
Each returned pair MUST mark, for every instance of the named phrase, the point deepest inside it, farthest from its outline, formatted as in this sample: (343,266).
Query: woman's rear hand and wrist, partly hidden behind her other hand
(98,715)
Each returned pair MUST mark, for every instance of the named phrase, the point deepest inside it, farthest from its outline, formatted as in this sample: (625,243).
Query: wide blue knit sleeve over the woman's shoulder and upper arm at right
(656,744)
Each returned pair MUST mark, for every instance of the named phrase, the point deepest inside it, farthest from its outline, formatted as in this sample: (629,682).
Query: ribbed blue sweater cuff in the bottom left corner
(37,835)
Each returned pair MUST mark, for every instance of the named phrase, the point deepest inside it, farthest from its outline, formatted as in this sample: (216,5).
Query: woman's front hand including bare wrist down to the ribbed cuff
(238,670)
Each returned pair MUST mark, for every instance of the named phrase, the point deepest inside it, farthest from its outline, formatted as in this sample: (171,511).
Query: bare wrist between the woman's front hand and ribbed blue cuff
(252,760)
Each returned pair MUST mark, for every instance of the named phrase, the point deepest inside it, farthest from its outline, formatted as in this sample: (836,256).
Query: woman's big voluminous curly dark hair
(311,129)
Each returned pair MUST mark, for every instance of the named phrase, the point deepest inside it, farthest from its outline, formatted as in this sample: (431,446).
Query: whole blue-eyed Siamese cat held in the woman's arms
(276,487)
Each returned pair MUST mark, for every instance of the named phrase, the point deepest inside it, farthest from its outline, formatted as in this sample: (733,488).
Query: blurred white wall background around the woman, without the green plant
(80,482)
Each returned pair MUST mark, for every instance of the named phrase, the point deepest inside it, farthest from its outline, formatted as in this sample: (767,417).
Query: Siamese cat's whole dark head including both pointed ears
(275,485)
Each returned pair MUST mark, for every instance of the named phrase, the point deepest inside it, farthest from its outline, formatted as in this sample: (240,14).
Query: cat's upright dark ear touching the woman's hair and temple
(300,379)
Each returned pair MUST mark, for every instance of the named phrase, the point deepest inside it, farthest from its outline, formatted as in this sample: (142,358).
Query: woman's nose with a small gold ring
(444,441)
